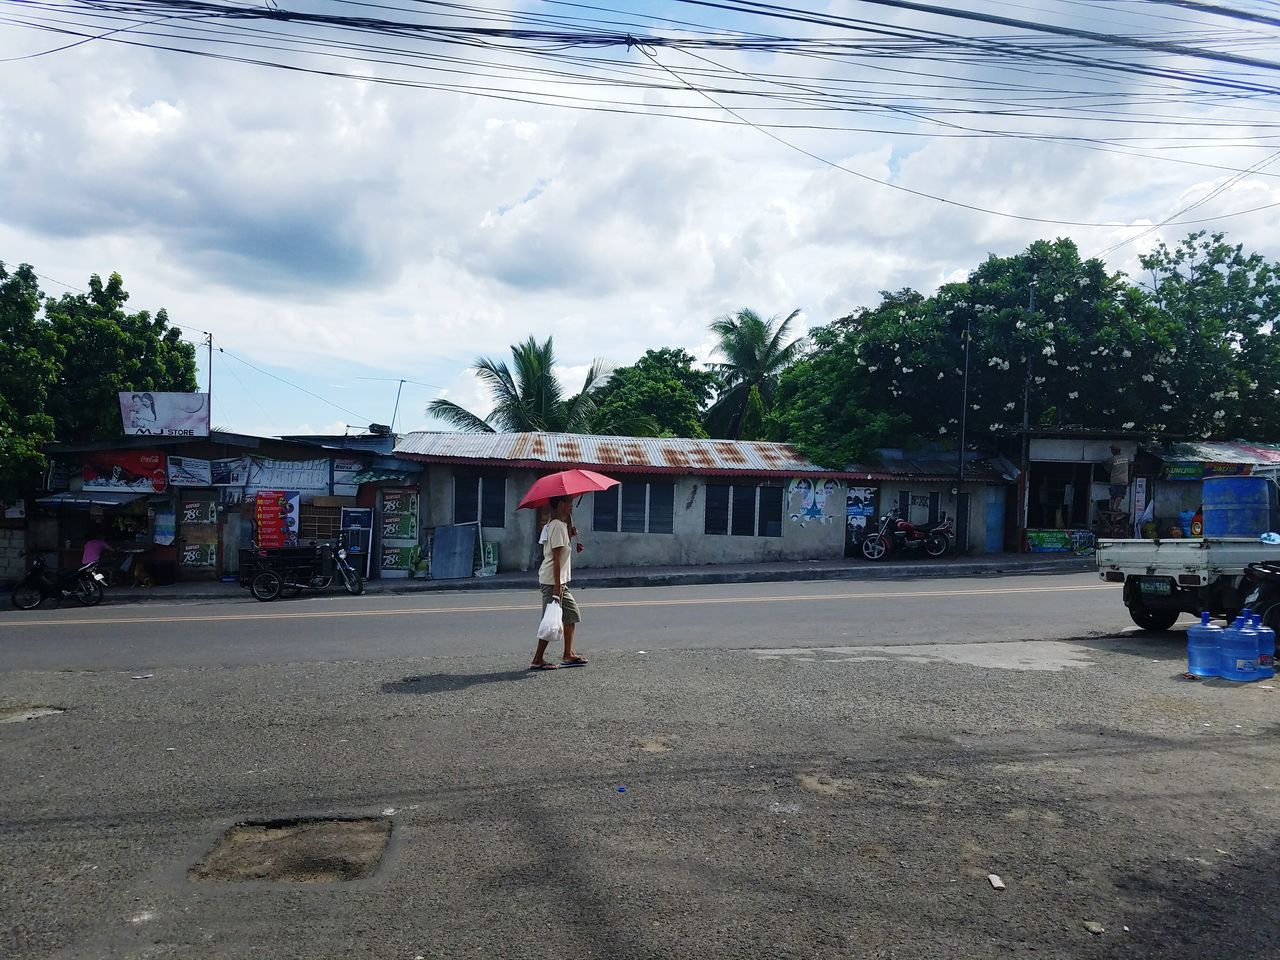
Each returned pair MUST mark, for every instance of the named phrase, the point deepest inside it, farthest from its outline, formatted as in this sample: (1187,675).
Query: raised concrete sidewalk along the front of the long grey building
(993,565)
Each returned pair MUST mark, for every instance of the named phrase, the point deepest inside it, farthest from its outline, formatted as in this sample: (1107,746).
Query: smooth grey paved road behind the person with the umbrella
(239,633)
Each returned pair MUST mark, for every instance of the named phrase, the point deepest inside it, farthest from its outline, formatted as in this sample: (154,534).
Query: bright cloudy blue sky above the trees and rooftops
(340,234)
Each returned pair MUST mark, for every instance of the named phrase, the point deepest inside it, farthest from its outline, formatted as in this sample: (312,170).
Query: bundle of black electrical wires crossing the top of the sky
(1146,79)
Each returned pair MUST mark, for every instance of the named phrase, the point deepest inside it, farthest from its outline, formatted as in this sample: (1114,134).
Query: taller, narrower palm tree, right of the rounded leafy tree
(756,354)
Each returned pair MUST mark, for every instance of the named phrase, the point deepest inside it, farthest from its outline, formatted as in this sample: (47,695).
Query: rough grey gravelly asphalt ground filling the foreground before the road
(673,804)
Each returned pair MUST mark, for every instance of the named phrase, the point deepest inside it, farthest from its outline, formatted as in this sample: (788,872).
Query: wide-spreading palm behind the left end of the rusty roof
(531,399)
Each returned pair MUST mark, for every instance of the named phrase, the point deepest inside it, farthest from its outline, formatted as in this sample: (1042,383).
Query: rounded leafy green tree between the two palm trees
(665,388)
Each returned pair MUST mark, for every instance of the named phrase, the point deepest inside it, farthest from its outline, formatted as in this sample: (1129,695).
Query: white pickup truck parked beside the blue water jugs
(1164,579)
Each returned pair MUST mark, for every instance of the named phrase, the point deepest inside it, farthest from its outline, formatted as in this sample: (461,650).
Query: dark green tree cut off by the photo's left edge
(30,359)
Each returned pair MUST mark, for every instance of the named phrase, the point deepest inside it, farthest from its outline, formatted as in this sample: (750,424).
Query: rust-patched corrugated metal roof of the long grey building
(621,454)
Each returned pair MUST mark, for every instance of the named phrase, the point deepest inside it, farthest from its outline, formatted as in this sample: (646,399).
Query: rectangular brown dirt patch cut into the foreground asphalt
(298,852)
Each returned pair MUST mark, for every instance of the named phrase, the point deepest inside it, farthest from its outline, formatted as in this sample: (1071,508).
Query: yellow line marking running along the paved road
(525,607)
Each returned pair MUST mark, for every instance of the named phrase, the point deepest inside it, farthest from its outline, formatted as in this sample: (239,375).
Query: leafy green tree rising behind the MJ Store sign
(107,351)
